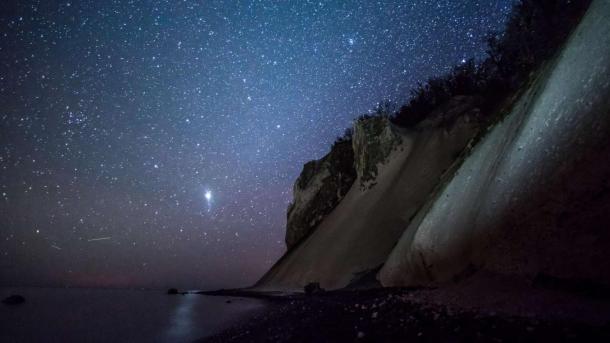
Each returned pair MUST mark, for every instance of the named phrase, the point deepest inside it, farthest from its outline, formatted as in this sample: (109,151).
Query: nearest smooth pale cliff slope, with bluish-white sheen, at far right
(538,159)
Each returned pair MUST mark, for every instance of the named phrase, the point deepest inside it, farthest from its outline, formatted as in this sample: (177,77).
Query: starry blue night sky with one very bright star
(155,143)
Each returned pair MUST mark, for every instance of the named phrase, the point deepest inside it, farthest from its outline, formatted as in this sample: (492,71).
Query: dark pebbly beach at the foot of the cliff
(389,316)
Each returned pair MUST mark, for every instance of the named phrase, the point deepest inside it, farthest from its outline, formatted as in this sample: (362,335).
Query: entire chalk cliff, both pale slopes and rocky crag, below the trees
(523,192)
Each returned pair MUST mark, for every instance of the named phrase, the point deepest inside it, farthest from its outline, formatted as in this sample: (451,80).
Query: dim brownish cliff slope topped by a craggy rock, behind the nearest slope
(360,232)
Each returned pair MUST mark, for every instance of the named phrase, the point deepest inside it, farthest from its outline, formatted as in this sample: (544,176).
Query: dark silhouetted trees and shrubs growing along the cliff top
(533,33)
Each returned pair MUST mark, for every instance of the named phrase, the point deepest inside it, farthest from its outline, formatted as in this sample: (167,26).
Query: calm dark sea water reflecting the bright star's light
(96,315)
